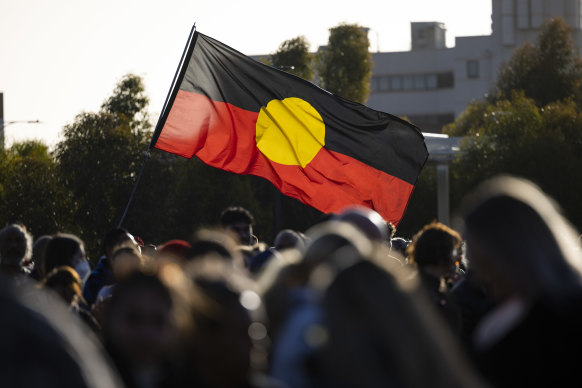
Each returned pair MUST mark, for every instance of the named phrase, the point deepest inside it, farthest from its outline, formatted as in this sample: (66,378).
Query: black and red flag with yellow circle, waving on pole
(239,115)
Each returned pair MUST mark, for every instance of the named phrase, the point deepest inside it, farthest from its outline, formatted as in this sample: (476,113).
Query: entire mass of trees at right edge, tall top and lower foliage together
(530,126)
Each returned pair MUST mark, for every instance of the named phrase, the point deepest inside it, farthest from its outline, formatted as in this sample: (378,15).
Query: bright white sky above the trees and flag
(60,58)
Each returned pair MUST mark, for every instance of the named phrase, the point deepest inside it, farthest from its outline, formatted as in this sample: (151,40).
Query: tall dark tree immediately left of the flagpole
(100,156)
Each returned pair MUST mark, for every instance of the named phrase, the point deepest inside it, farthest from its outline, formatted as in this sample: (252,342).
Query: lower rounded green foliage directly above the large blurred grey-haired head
(517,137)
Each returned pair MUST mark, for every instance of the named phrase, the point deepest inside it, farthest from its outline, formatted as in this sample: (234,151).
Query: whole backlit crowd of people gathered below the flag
(495,301)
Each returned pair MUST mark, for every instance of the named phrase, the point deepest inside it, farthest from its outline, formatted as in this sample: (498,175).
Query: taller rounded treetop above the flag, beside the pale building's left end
(345,65)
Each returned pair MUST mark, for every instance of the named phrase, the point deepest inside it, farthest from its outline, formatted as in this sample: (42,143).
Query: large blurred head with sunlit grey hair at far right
(518,239)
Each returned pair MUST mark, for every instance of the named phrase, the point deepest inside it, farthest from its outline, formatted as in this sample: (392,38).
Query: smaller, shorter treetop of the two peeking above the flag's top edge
(293,56)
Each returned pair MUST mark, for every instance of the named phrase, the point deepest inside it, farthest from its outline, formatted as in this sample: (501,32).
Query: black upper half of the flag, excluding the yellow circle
(378,139)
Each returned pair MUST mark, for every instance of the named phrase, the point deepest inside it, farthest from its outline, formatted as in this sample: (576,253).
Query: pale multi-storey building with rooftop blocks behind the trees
(431,84)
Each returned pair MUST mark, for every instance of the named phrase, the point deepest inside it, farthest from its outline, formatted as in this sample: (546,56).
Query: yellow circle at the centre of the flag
(290,131)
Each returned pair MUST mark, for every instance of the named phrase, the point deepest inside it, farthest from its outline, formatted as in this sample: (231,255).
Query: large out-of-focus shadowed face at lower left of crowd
(140,326)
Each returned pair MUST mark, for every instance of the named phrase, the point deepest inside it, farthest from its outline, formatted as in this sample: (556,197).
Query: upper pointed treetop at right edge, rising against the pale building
(548,71)
